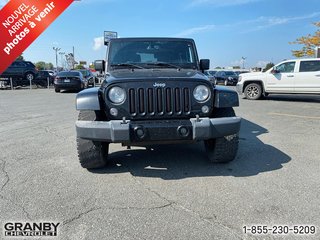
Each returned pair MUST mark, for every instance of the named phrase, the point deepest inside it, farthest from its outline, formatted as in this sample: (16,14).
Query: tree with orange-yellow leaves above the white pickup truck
(309,42)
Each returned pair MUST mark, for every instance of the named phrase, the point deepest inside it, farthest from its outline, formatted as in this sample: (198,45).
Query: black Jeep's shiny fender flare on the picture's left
(88,99)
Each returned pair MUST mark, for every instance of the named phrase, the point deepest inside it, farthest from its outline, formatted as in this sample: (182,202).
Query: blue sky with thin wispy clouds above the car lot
(225,31)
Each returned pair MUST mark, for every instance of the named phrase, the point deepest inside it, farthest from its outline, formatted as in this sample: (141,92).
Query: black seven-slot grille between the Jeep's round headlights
(159,101)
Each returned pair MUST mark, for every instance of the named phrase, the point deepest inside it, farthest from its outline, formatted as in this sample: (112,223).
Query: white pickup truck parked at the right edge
(290,76)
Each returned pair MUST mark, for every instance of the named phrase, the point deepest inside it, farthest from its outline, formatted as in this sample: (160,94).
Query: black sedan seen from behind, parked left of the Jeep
(70,80)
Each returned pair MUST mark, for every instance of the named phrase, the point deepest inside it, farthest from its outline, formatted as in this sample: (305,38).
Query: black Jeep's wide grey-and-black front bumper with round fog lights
(124,131)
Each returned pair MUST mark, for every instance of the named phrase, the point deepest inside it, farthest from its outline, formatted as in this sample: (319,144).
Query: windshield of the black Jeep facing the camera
(150,53)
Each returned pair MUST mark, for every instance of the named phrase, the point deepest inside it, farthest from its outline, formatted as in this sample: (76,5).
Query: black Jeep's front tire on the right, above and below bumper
(224,149)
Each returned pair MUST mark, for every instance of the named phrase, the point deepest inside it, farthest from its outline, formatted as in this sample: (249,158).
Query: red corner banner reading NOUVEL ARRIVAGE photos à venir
(21,22)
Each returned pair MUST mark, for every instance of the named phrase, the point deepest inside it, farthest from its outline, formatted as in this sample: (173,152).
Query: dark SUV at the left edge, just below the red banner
(21,72)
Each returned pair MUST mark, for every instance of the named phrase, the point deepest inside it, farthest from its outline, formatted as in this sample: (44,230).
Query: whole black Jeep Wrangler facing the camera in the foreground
(155,92)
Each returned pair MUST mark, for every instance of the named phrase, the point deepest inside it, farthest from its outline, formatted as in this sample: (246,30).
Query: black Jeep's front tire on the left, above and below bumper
(92,154)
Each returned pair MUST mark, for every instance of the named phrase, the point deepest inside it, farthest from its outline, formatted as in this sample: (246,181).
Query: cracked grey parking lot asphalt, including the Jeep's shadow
(172,192)
